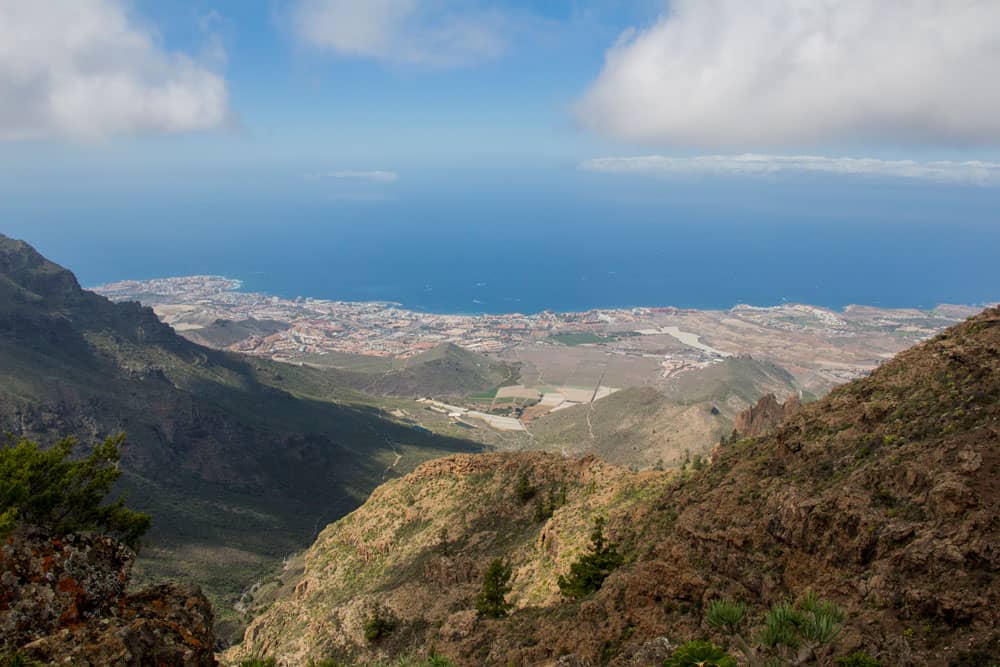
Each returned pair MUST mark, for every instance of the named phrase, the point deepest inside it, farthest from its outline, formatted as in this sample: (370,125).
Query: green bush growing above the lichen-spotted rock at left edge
(47,488)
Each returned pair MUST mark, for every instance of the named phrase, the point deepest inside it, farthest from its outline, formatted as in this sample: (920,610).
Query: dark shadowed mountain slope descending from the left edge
(238,460)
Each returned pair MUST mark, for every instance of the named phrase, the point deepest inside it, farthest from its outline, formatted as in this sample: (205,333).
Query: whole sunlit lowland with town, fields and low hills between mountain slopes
(561,382)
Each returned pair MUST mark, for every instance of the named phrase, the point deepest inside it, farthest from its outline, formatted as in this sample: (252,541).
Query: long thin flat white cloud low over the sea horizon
(974,172)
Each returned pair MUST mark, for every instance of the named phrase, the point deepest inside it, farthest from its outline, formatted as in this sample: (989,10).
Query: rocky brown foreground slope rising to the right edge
(882,497)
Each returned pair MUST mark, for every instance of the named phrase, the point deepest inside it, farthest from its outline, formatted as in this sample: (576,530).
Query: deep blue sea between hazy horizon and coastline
(526,244)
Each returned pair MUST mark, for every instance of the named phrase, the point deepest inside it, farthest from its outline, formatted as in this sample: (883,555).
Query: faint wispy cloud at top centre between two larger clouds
(422,32)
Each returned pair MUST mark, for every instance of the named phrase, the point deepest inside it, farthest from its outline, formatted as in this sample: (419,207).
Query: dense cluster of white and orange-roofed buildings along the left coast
(318,326)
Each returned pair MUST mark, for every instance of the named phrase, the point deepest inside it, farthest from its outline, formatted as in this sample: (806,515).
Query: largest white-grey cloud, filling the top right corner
(738,74)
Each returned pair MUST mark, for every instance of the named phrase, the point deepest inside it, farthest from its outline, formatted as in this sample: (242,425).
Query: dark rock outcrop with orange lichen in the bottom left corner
(63,600)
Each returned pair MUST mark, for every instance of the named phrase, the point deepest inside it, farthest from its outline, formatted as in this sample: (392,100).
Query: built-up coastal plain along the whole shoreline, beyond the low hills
(590,349)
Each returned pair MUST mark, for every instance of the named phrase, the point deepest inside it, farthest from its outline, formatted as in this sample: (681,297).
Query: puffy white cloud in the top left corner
(86,70)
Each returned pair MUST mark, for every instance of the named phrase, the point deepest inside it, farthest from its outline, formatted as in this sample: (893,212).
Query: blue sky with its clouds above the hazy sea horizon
(447,82)
